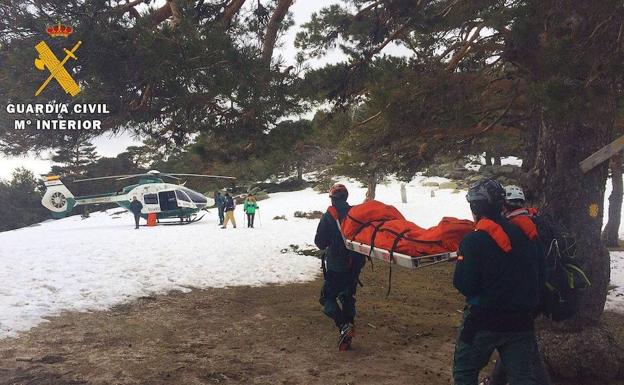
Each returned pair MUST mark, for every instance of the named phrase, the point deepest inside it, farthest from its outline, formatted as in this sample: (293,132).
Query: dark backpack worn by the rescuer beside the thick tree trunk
(564,278)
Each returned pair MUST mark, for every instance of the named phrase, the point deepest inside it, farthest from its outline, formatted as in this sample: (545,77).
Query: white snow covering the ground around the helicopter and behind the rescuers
(92,264)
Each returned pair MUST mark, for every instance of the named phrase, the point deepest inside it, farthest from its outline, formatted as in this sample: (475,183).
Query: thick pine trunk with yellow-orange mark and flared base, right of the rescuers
(589,350)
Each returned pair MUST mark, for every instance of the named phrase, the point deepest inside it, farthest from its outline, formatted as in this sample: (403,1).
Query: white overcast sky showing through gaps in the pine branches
(108,145)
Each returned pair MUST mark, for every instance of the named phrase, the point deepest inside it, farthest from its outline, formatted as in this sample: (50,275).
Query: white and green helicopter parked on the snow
(166,200)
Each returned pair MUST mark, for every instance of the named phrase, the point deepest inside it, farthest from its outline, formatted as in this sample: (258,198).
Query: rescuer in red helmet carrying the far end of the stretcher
(341,267)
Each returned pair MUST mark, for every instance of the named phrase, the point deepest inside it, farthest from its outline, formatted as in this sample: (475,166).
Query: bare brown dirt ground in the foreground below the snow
(250,335)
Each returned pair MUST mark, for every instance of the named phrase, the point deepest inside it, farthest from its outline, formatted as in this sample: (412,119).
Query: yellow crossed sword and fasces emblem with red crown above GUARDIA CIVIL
(47,60)
